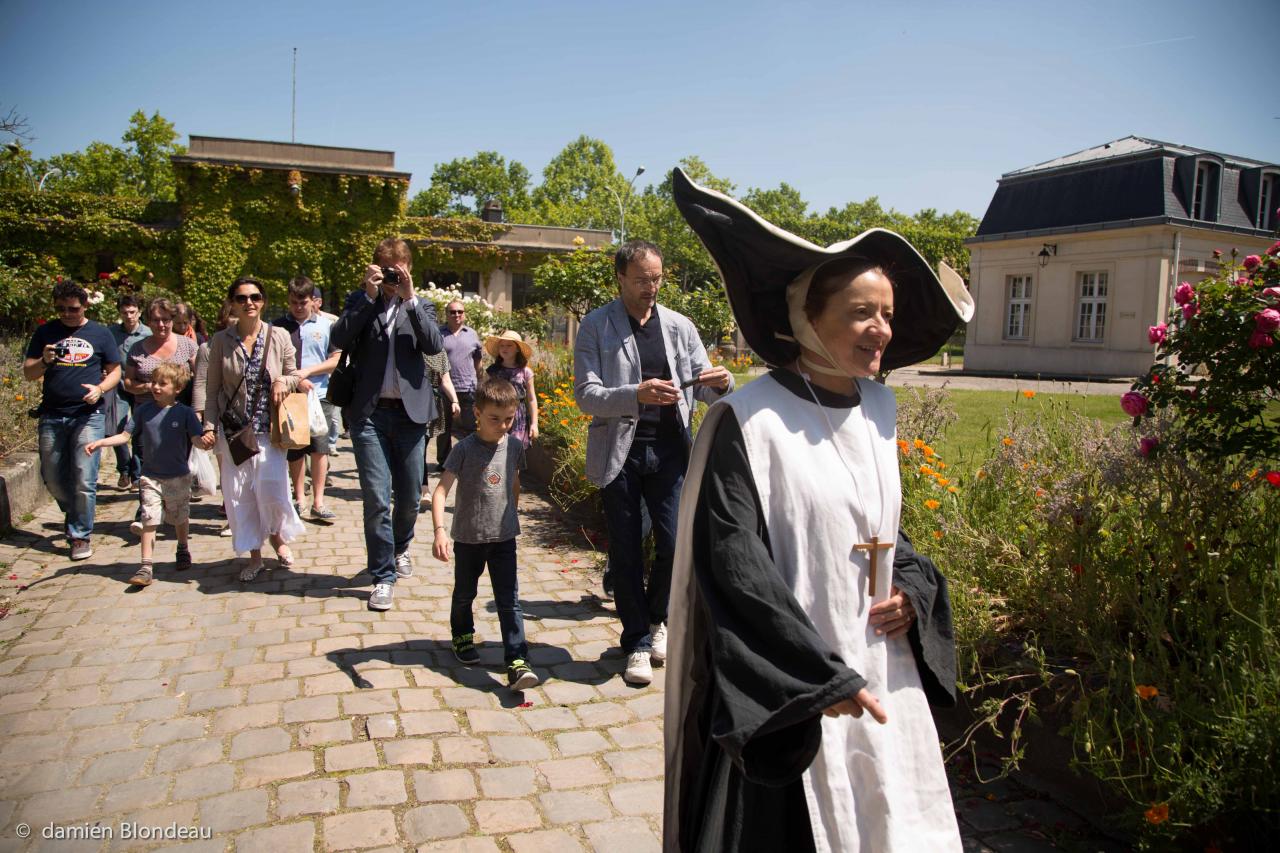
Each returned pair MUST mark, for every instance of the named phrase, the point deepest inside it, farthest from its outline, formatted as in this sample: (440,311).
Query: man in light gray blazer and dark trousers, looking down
(638,370)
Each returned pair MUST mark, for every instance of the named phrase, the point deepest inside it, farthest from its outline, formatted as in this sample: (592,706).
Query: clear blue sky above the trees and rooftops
(921,103)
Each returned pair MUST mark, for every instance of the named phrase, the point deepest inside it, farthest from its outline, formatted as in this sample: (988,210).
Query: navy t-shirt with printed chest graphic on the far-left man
(92,349)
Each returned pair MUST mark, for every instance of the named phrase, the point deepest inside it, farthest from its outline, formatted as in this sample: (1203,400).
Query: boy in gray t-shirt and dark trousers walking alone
(487,469)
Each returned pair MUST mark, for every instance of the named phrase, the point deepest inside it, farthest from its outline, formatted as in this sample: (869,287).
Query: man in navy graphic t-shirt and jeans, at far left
(77,362)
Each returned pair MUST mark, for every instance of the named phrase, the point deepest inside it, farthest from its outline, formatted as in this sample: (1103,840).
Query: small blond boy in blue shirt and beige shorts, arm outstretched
(167,428)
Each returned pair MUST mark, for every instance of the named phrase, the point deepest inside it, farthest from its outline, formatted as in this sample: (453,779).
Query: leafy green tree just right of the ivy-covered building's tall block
(464,186)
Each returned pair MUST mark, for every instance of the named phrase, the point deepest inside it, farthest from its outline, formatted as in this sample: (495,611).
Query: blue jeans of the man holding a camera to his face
(390,448)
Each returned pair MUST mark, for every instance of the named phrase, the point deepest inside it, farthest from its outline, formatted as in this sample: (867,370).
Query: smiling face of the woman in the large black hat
(856,323)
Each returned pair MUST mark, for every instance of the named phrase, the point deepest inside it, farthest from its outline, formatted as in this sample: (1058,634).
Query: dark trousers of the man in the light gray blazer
(653,475)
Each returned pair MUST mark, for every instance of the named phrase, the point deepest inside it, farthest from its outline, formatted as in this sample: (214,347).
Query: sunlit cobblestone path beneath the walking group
(284,715)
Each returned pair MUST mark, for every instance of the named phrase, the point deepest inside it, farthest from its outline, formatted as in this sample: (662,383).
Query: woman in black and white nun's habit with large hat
(807,637)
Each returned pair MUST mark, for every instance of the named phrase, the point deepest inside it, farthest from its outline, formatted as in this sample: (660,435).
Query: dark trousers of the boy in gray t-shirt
(469,562)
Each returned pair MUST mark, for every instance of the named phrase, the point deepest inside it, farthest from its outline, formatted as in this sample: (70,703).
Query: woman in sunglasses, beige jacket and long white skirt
(252,370)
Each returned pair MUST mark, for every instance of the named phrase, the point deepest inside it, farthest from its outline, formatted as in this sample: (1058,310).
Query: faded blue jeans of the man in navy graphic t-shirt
(70,475)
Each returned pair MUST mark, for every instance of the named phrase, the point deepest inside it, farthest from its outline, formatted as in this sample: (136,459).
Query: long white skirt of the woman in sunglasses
(258,496)
